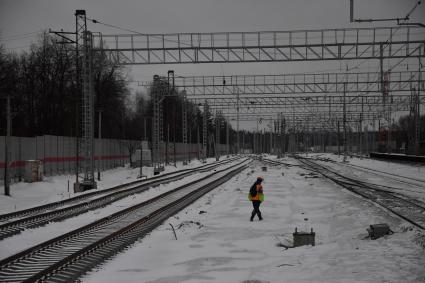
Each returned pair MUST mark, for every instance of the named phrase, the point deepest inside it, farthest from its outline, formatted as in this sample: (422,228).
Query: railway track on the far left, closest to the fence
(39,216)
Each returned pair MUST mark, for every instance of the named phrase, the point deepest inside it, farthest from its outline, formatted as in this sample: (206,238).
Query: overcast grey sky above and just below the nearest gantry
(19,19)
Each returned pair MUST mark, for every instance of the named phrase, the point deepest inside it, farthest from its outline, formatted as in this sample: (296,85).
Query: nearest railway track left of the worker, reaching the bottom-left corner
(65,258)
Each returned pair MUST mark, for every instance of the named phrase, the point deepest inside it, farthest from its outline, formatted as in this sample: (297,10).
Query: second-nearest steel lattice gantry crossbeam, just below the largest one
(367,82)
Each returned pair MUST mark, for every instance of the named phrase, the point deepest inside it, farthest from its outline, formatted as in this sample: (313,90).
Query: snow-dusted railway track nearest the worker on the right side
(406,208)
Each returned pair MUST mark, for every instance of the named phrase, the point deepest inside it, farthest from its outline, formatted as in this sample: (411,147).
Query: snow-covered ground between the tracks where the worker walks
(221,245)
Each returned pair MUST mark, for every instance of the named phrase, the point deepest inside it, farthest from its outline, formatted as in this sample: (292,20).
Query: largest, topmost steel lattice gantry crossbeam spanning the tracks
(265,46)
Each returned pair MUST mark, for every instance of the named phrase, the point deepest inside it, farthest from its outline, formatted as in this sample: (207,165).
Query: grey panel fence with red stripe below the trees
(58,153)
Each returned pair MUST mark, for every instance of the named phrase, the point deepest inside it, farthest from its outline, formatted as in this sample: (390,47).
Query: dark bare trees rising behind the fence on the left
(45,99)
